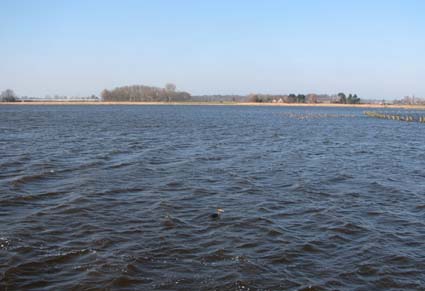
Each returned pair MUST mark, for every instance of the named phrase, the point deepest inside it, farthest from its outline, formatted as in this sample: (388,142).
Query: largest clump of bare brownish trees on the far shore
(141,93)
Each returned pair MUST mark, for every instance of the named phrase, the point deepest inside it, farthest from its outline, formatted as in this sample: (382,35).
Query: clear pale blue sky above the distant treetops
(374,48)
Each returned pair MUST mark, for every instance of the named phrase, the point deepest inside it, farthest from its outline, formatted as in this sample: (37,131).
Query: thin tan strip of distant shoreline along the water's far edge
(70,103)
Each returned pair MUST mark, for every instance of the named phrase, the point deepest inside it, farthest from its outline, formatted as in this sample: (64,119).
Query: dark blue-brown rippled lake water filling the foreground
(98,197)
